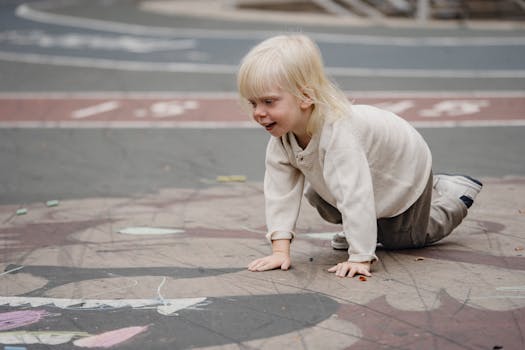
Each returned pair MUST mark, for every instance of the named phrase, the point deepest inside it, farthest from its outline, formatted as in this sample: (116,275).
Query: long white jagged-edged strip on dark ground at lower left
(167,307)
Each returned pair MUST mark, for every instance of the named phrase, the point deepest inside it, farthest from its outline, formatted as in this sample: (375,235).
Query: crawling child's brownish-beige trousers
(431,218)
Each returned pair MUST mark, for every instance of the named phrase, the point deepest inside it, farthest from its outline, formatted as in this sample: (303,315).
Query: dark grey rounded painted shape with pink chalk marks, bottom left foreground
(220,321)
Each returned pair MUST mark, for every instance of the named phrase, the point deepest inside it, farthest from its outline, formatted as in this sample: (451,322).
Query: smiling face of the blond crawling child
(280,112)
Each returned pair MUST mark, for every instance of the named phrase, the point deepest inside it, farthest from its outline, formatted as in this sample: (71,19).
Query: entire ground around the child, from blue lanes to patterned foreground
(166,269)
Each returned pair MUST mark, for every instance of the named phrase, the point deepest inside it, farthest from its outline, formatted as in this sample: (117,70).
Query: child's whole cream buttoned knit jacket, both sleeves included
(369,165)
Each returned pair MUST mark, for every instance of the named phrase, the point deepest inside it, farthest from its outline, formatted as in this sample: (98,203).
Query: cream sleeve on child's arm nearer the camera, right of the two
(348,177)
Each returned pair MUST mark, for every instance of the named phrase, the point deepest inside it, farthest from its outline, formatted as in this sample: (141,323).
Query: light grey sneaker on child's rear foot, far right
(463,187)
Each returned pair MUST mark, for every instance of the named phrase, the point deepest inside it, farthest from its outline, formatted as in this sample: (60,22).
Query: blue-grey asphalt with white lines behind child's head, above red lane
(99,45)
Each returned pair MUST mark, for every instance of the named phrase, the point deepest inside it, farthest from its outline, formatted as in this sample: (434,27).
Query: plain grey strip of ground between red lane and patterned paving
(46,164)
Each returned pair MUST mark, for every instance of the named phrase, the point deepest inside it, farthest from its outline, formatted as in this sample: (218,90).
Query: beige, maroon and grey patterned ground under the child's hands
(167,271)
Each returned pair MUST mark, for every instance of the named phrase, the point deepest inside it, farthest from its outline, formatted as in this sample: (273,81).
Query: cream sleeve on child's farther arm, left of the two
(283,189)
